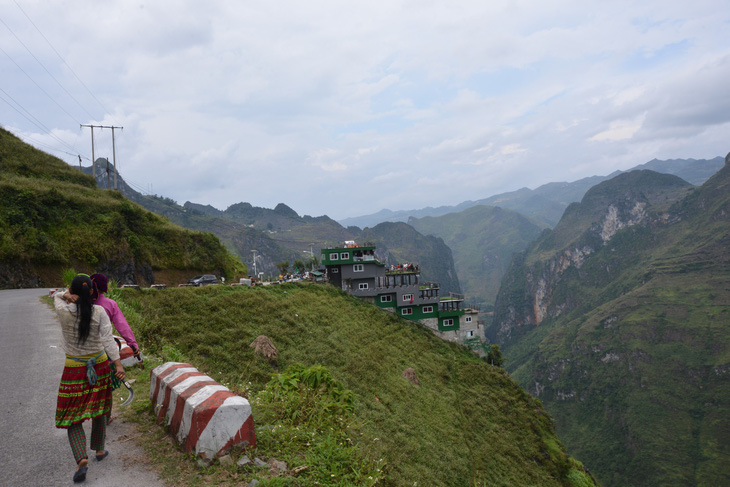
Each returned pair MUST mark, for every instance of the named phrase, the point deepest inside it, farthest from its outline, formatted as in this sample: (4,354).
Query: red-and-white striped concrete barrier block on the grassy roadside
(201,414)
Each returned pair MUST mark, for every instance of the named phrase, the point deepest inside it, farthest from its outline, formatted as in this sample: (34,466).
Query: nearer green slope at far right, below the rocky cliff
(638,376)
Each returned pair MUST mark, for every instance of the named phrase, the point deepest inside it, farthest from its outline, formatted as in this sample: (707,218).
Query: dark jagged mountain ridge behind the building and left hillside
(280,234)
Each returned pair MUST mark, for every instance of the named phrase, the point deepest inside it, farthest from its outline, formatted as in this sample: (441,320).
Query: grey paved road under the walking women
(32,451)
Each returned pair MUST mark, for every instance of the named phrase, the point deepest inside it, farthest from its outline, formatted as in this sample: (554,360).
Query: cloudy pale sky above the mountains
(344,108)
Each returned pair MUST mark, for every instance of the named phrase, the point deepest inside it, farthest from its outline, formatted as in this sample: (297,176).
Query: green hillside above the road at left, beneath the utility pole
(52,217)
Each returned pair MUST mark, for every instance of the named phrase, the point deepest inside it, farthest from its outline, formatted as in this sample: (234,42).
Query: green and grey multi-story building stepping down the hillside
(399,289)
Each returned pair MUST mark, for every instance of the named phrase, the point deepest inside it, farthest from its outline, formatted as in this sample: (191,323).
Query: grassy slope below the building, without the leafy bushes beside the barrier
(467,423)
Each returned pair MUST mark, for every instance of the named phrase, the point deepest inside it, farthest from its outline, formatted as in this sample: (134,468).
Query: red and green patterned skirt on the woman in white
(77,399)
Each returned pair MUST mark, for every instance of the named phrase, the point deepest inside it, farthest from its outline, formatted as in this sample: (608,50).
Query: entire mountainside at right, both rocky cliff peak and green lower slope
(618,321)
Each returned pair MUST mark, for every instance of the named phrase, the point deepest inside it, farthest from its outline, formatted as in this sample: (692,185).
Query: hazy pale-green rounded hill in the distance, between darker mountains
(482,240)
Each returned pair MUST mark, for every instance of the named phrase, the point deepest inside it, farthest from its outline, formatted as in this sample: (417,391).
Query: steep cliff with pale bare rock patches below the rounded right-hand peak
(531,291)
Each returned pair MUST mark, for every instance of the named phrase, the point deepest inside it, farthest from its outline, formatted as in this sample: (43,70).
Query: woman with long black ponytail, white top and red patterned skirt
(85,390)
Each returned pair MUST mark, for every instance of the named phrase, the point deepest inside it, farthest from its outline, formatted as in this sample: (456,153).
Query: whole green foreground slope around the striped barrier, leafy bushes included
(335,399)
